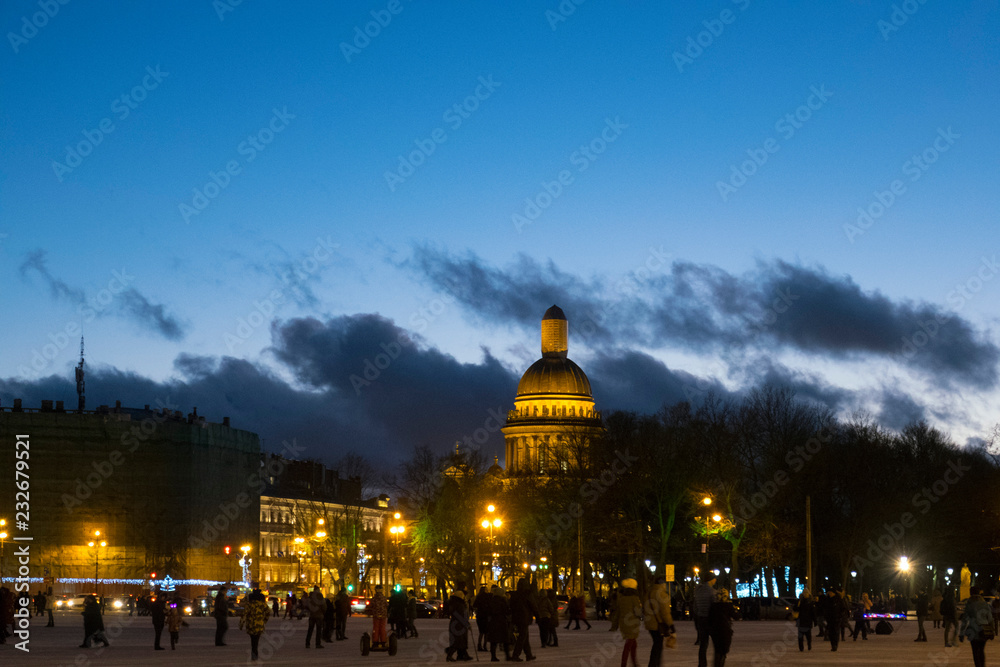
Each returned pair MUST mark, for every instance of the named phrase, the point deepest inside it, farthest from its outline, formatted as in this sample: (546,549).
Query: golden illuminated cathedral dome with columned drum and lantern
(553,422)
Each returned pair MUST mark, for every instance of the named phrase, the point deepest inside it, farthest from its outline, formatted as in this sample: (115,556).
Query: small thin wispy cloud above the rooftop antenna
(122,300)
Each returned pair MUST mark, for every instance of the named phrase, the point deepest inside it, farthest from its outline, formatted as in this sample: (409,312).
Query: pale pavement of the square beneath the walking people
(755,644)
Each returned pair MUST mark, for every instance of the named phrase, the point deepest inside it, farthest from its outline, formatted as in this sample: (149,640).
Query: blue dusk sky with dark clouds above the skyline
(242,204)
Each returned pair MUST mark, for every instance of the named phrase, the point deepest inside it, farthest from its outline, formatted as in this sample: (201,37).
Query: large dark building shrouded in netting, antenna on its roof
(166,491)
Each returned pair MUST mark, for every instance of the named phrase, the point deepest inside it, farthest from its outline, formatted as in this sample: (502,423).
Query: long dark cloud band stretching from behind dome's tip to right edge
(707,310)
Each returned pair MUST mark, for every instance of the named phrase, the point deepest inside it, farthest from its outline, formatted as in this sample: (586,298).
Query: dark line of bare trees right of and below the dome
(638,495)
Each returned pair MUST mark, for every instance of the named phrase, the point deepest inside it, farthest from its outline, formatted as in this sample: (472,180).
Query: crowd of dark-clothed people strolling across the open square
(503,618)
